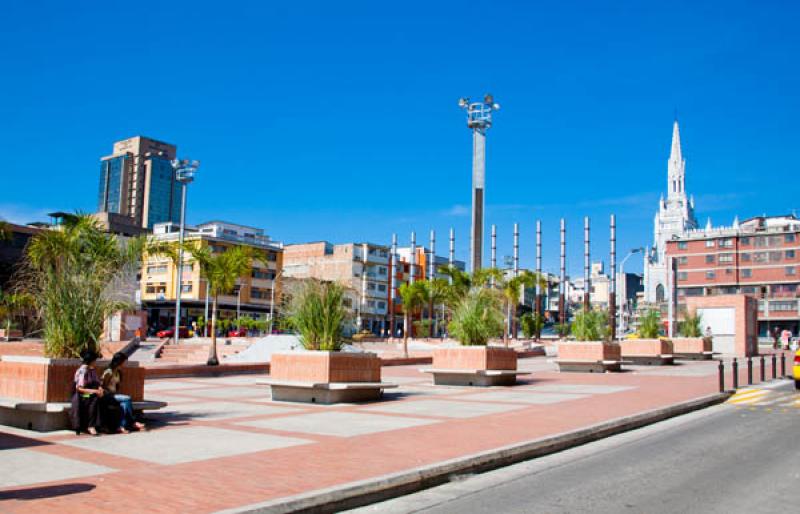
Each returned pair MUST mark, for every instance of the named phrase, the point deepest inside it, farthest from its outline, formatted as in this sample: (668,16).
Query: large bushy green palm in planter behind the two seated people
(74,274)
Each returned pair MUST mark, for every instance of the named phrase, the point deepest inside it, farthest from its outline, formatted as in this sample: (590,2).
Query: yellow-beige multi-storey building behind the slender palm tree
(255,292)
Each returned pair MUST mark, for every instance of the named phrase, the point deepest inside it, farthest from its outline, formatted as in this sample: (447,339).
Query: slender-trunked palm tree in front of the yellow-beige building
(222,271)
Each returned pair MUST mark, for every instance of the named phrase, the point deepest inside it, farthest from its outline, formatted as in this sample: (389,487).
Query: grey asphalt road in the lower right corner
(725,459)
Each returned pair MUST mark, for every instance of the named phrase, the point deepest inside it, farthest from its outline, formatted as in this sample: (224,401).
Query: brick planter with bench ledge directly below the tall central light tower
(474,366)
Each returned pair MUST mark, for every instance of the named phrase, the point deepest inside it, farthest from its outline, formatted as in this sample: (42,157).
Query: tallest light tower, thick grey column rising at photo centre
(479,118)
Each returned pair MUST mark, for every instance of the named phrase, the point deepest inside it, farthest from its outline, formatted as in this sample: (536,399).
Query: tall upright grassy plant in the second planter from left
(316,310)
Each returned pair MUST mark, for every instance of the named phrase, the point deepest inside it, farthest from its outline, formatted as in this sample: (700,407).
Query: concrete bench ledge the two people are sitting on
(49,416)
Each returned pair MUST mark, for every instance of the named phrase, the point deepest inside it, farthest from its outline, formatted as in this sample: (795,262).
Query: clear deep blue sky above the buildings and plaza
(339,120)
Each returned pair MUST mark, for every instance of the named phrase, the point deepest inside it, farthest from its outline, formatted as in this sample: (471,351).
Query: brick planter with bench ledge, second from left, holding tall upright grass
(325,377)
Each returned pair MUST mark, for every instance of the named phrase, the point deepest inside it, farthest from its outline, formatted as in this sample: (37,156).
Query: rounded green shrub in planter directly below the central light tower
(477,318)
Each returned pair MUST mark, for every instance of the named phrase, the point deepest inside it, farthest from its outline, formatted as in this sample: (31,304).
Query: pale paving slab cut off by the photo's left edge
(20,466)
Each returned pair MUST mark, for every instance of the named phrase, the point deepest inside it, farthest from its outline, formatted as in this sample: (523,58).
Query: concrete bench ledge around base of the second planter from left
(325,392)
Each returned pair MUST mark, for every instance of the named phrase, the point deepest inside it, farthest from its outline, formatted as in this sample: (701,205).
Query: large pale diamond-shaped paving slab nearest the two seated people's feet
(174,446)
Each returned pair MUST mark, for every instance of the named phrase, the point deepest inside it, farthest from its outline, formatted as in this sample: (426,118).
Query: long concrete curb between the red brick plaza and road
(365,492)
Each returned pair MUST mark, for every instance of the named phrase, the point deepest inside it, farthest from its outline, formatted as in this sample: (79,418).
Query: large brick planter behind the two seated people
(35,391)
